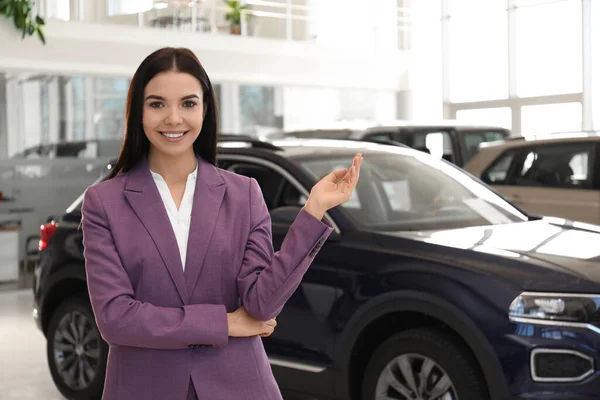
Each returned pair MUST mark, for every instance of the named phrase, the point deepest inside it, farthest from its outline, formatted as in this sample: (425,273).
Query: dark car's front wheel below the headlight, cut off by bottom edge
(422,364)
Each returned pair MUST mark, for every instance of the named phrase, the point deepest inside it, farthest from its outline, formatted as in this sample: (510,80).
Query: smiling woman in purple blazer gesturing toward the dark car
(181,271)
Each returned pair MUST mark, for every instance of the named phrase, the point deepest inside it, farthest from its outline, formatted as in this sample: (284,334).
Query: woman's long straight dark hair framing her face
(136,145)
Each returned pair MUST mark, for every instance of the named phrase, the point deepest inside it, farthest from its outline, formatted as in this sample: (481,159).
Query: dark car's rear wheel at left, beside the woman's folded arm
(76,352)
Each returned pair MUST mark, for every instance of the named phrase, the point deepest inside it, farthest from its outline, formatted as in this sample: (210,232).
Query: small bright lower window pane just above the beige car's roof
(549,118)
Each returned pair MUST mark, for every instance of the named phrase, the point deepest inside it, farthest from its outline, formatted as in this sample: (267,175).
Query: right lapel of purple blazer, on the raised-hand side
(208,196)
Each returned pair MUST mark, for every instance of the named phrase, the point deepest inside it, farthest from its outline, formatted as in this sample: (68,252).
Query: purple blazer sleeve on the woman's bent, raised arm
(267,279)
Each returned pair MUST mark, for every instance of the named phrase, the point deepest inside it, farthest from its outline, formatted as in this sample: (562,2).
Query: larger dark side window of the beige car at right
(557,166)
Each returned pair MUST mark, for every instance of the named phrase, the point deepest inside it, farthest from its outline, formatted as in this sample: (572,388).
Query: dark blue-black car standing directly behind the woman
(431,286)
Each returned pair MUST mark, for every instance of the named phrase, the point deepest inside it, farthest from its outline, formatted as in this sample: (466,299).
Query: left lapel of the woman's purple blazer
(143,195)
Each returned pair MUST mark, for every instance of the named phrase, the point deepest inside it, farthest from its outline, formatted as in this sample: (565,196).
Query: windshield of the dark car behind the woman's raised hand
(401,189)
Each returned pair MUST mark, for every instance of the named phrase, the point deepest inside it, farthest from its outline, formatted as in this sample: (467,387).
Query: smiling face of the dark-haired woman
(173,112)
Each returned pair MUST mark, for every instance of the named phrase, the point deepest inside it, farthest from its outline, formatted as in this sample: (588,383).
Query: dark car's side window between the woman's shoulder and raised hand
(277,191)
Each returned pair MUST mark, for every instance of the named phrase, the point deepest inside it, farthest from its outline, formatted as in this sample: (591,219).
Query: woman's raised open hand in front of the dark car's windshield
(334,189)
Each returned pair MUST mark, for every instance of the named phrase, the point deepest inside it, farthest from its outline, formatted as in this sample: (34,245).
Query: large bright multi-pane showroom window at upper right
(520,64)
